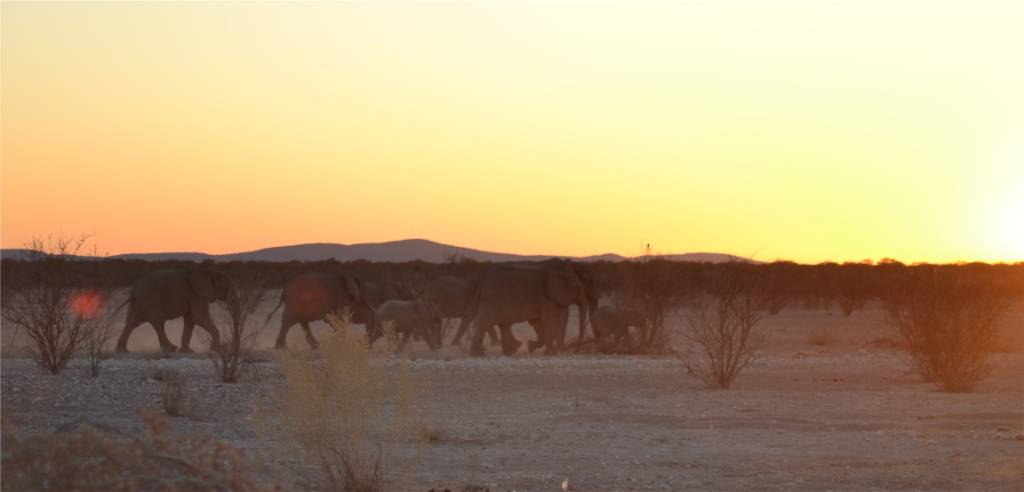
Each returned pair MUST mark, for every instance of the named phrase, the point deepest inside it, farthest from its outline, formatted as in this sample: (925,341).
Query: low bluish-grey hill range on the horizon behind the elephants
(405,251)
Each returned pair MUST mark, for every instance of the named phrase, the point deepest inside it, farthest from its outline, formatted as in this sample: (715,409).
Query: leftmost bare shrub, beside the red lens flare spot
(58,302)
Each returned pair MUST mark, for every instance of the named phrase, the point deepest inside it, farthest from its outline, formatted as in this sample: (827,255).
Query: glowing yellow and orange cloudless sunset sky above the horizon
(801,131)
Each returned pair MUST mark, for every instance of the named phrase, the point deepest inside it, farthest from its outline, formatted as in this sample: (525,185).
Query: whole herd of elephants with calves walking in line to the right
(538,294)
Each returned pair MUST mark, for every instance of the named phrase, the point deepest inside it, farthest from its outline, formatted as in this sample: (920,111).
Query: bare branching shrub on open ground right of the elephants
(720,326)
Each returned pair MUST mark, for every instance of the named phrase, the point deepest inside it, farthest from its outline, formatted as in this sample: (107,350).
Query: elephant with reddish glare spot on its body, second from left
(313,297)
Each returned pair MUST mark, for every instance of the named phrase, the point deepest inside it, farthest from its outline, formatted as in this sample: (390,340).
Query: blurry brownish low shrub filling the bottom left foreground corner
(88,460)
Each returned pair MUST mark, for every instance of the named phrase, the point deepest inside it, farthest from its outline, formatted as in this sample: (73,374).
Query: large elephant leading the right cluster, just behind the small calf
(539,294)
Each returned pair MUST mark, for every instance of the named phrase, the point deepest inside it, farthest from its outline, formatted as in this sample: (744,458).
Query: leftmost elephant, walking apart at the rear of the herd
(168,295)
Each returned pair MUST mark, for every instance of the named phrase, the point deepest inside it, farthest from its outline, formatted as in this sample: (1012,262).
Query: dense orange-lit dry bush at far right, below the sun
(948,324)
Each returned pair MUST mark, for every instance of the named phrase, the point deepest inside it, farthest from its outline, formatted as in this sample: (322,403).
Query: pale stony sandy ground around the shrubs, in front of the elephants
(843,417)
